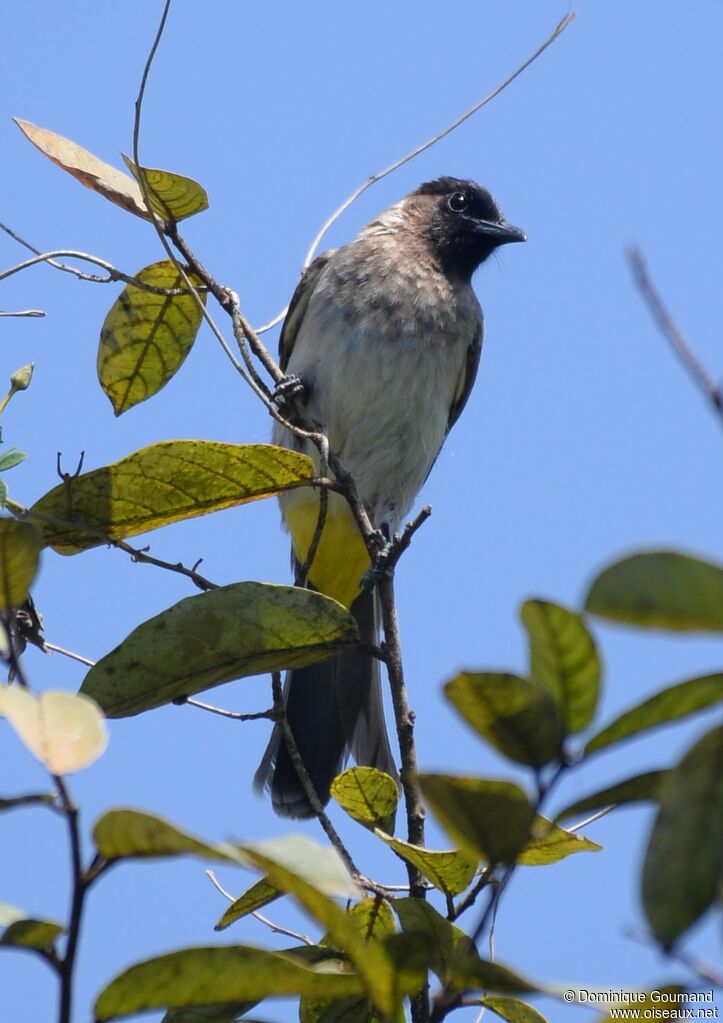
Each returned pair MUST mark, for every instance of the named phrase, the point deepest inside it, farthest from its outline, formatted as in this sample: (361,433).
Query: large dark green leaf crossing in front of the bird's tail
(244,630)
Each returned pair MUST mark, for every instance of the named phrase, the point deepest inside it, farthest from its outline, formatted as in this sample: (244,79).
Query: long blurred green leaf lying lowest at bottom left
(219,976)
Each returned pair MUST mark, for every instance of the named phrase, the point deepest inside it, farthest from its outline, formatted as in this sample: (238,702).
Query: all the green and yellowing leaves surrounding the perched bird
(380,951)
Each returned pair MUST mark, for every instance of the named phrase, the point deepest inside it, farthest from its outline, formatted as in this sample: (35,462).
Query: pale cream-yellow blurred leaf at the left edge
(65,732)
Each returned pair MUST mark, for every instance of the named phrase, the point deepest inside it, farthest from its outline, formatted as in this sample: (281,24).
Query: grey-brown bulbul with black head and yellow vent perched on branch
(385,335)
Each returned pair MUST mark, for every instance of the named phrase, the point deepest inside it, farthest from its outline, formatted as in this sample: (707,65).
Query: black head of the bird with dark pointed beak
(466,225)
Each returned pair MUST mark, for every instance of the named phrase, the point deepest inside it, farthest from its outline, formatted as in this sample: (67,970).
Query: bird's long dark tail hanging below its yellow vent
(333,707)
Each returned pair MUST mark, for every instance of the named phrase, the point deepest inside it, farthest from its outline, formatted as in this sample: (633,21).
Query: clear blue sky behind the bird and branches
(583,438)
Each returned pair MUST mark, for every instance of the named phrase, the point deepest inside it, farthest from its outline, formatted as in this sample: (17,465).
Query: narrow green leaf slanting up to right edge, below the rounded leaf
(668,705)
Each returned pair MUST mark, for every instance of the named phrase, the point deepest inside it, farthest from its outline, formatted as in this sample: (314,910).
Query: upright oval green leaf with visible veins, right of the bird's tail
(564,659)
